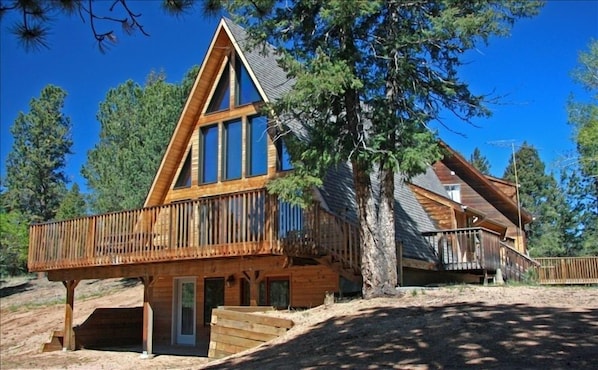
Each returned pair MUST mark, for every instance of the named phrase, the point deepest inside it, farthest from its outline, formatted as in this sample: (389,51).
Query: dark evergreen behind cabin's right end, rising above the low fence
(539,194)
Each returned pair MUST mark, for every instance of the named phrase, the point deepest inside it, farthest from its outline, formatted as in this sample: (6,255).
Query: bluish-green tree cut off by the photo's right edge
(583,178)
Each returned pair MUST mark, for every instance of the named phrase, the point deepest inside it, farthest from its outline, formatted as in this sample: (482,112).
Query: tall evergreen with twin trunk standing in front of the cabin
(368,77)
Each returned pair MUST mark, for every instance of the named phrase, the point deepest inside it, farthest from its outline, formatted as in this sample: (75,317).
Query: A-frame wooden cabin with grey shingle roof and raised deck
(210,234)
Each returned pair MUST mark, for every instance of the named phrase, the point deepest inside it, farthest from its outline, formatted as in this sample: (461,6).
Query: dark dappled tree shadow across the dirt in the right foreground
(468,335)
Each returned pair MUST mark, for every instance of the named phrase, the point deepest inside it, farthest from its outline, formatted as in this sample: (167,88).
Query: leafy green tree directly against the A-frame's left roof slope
(136,125)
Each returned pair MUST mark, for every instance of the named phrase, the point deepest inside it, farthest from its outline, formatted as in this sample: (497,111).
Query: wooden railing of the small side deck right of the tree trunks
(477,249)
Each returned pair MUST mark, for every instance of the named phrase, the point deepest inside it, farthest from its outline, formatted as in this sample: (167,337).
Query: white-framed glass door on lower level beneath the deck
(185,311)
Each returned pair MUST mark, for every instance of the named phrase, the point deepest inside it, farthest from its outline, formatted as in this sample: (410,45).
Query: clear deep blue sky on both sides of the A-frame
(530,70)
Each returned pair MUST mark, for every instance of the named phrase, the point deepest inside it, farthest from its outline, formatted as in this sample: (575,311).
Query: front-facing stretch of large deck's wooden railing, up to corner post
(231,224)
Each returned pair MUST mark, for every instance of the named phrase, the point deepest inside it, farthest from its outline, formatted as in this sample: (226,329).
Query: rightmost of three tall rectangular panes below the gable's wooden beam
(257,160)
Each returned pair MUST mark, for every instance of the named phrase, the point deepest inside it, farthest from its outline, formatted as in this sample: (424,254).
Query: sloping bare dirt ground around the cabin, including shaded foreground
(455,327)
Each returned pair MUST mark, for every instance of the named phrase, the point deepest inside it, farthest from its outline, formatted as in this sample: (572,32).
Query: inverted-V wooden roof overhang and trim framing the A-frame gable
(227,35)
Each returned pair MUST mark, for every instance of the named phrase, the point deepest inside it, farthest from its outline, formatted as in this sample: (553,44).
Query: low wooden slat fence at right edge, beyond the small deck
(568,270)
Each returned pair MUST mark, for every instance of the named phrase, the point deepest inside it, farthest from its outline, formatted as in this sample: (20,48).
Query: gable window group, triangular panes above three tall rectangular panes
(233,138)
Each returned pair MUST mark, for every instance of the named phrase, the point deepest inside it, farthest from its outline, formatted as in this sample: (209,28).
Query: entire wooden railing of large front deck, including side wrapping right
(246,223)
